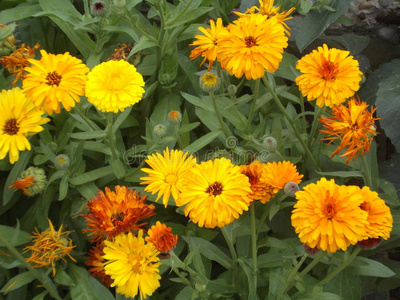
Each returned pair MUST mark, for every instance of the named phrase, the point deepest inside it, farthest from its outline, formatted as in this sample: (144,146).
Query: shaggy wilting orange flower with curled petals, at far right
(353,125)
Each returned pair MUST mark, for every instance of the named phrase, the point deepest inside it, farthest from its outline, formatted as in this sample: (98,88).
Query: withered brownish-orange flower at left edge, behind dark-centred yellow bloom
(18,60)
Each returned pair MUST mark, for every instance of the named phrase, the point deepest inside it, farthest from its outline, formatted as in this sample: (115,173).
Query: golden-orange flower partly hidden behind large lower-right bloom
(379,216)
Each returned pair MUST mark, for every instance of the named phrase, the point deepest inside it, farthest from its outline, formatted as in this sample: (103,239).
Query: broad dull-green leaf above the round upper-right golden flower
(314,23)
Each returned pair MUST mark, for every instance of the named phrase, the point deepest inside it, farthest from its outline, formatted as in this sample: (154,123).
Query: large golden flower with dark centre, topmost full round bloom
(253,44)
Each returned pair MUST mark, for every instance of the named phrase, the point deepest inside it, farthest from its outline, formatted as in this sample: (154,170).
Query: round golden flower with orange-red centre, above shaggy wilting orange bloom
(329,75)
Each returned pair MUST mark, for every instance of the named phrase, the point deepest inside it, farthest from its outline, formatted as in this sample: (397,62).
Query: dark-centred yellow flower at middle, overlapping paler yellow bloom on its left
(216,193)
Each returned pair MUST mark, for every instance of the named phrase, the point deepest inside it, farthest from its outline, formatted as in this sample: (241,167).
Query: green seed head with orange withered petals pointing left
(32,181)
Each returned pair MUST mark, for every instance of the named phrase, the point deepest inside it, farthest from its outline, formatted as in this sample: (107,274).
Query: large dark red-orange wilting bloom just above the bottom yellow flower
(112,213)
